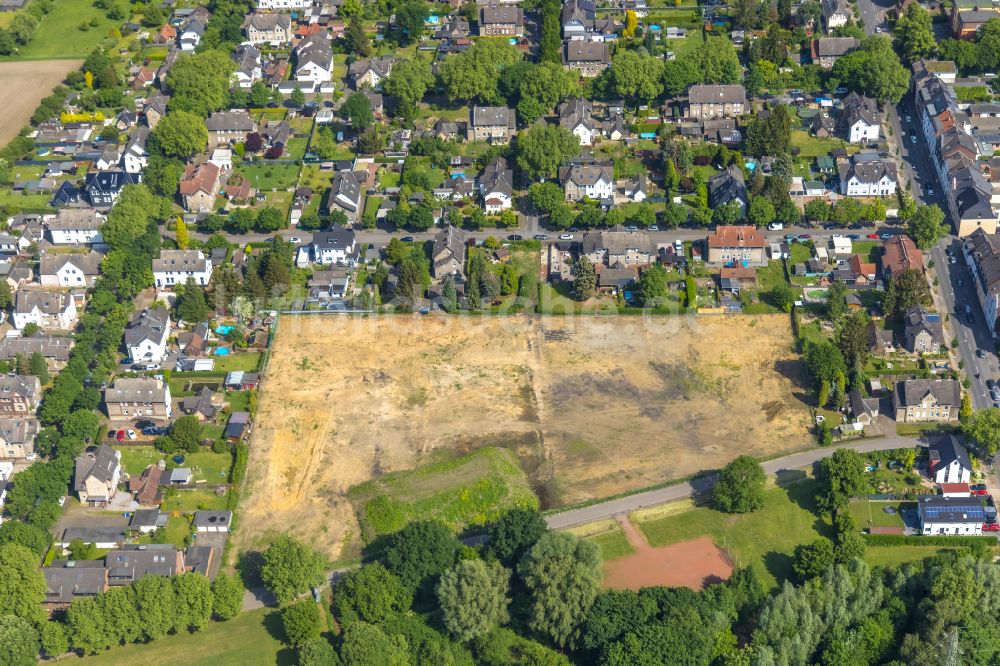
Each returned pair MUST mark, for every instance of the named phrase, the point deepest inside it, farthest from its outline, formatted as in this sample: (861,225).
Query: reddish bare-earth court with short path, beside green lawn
(695,564)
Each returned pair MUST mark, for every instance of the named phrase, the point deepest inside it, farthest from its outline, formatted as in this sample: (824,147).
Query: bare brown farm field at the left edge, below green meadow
(23,85)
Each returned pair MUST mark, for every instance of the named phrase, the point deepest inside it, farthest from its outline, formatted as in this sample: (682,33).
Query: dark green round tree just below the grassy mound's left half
(420,551)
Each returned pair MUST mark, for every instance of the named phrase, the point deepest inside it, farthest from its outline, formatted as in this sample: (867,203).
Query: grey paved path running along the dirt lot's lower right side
(679,491)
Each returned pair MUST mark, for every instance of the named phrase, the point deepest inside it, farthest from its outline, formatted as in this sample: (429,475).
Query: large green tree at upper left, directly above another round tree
(199,83)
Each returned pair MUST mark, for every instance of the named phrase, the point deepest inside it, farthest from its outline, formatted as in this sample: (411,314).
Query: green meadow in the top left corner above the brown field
(59,34)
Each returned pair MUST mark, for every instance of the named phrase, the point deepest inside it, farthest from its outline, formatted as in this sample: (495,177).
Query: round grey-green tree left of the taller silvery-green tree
(473,598)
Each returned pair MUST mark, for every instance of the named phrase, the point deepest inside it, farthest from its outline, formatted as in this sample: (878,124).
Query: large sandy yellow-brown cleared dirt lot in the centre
(592,406)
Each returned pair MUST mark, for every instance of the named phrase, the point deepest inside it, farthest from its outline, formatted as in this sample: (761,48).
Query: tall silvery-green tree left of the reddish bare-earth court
(562,574)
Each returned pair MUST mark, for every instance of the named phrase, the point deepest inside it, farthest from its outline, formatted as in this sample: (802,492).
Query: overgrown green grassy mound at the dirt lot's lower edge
(469,490)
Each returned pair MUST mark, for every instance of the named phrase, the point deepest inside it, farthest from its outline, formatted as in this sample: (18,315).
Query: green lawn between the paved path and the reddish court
(765,540)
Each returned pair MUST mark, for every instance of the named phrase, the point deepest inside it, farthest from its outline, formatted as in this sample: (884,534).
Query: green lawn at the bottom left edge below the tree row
(251,638)
